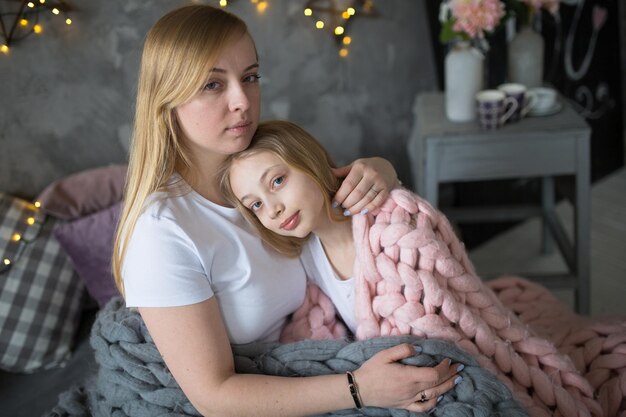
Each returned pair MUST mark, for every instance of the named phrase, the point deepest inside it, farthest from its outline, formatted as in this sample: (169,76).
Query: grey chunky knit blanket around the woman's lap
(132,379)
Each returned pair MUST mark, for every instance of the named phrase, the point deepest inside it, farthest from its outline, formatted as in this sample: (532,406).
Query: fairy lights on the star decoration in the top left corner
(27,18)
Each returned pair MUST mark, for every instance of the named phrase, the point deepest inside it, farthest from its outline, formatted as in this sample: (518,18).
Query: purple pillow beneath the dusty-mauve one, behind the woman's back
(88,242)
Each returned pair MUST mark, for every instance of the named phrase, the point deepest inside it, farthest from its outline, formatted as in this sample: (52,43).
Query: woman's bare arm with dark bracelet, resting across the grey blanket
(195,346)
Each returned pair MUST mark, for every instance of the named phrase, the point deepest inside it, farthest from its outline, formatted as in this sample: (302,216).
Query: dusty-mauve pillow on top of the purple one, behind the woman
(84,193)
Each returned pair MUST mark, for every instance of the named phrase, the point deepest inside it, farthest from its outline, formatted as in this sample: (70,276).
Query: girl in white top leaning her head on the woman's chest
(283,184)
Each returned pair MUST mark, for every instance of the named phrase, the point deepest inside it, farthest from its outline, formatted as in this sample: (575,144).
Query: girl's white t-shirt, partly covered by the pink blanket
(319,270)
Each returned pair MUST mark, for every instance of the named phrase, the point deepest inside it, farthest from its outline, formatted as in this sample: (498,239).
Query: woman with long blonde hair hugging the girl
(198,273)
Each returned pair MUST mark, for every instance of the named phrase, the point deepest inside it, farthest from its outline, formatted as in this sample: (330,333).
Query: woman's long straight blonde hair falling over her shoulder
(178,55)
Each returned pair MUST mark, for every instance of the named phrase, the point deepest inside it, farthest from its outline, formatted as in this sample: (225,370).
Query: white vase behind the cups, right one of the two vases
(525,58)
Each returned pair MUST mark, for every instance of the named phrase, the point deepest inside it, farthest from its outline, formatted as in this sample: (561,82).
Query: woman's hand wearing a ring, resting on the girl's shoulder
(366,185)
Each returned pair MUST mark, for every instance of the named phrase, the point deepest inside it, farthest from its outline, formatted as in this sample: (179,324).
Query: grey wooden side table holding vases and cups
(442,151)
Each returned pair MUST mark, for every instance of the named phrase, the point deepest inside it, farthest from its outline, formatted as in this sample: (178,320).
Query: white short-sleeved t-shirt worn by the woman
(185,249)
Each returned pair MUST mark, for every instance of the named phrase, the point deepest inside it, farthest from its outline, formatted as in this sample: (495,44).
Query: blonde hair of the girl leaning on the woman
(301,151)
